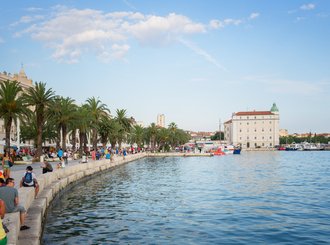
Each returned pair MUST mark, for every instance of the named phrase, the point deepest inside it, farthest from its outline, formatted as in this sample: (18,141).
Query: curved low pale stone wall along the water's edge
(50,185)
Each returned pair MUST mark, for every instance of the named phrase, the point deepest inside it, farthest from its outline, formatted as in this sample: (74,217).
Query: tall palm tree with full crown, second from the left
(40,99)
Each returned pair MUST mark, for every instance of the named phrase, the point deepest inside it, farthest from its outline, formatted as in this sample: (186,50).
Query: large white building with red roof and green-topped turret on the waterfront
(253,129)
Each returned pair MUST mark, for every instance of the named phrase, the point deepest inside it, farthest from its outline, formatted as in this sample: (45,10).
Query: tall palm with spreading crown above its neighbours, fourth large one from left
(97,110)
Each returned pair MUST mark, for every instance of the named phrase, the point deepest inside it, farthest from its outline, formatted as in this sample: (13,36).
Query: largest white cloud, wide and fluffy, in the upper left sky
(72,32)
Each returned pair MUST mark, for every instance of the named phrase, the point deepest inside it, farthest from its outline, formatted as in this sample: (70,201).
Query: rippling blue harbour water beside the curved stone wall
(264,197)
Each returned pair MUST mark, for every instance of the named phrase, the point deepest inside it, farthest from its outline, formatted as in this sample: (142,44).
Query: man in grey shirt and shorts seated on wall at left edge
(9,195)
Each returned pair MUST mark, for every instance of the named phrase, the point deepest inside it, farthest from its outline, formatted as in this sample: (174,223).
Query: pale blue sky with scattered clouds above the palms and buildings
(195,61)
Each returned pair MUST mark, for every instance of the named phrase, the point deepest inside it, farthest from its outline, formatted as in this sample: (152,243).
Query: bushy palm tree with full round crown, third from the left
(63,113)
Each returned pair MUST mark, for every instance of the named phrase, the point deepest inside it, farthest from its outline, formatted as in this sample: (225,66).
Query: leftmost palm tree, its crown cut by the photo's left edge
(12,106)
